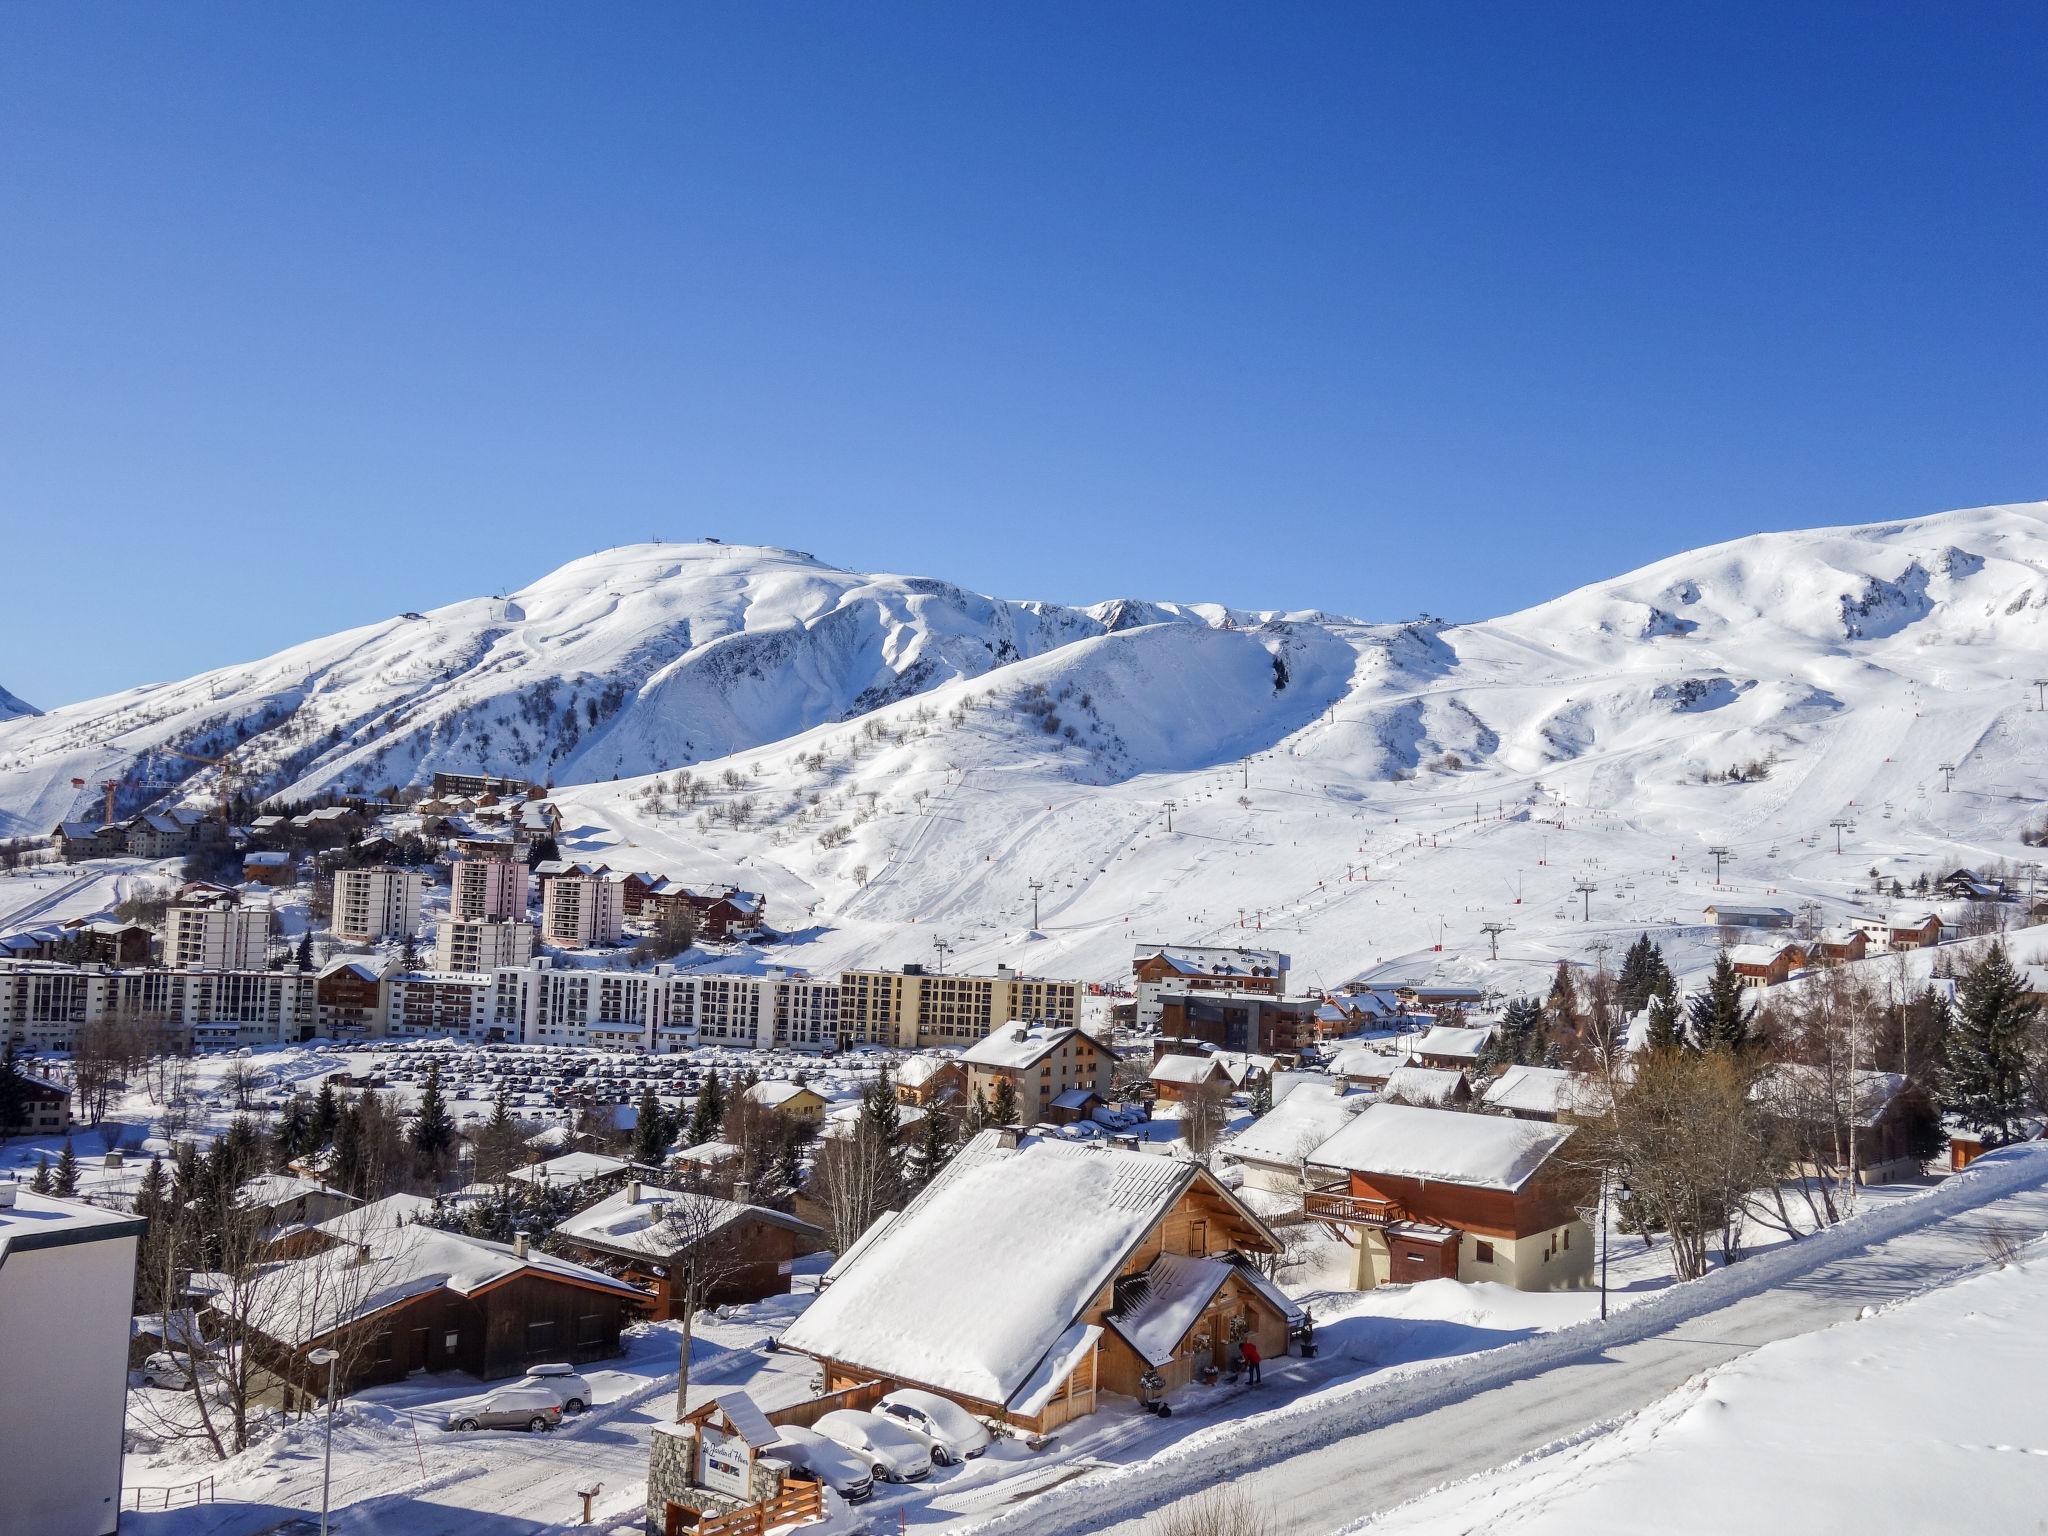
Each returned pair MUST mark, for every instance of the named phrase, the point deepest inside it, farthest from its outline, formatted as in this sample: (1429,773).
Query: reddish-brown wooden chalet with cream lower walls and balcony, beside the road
(1437,1195)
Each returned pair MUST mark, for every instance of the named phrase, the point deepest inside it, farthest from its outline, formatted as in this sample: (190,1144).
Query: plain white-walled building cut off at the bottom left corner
(67,1291)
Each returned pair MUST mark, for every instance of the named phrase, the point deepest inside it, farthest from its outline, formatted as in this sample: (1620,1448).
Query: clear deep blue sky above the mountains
(314,314)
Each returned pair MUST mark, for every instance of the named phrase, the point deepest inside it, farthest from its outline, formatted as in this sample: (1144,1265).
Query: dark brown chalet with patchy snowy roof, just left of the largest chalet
(650,1238)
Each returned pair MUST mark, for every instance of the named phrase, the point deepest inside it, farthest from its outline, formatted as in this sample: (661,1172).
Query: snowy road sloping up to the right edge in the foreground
(1408,1453)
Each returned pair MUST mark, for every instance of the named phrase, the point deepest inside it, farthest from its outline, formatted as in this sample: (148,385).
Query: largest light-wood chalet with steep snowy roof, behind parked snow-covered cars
(1037,1275)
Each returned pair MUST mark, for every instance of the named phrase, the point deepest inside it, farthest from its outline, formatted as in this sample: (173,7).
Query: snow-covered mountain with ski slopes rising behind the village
(916,755)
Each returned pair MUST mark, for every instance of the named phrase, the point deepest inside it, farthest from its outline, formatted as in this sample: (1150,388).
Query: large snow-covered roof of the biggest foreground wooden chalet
(988,1273)
